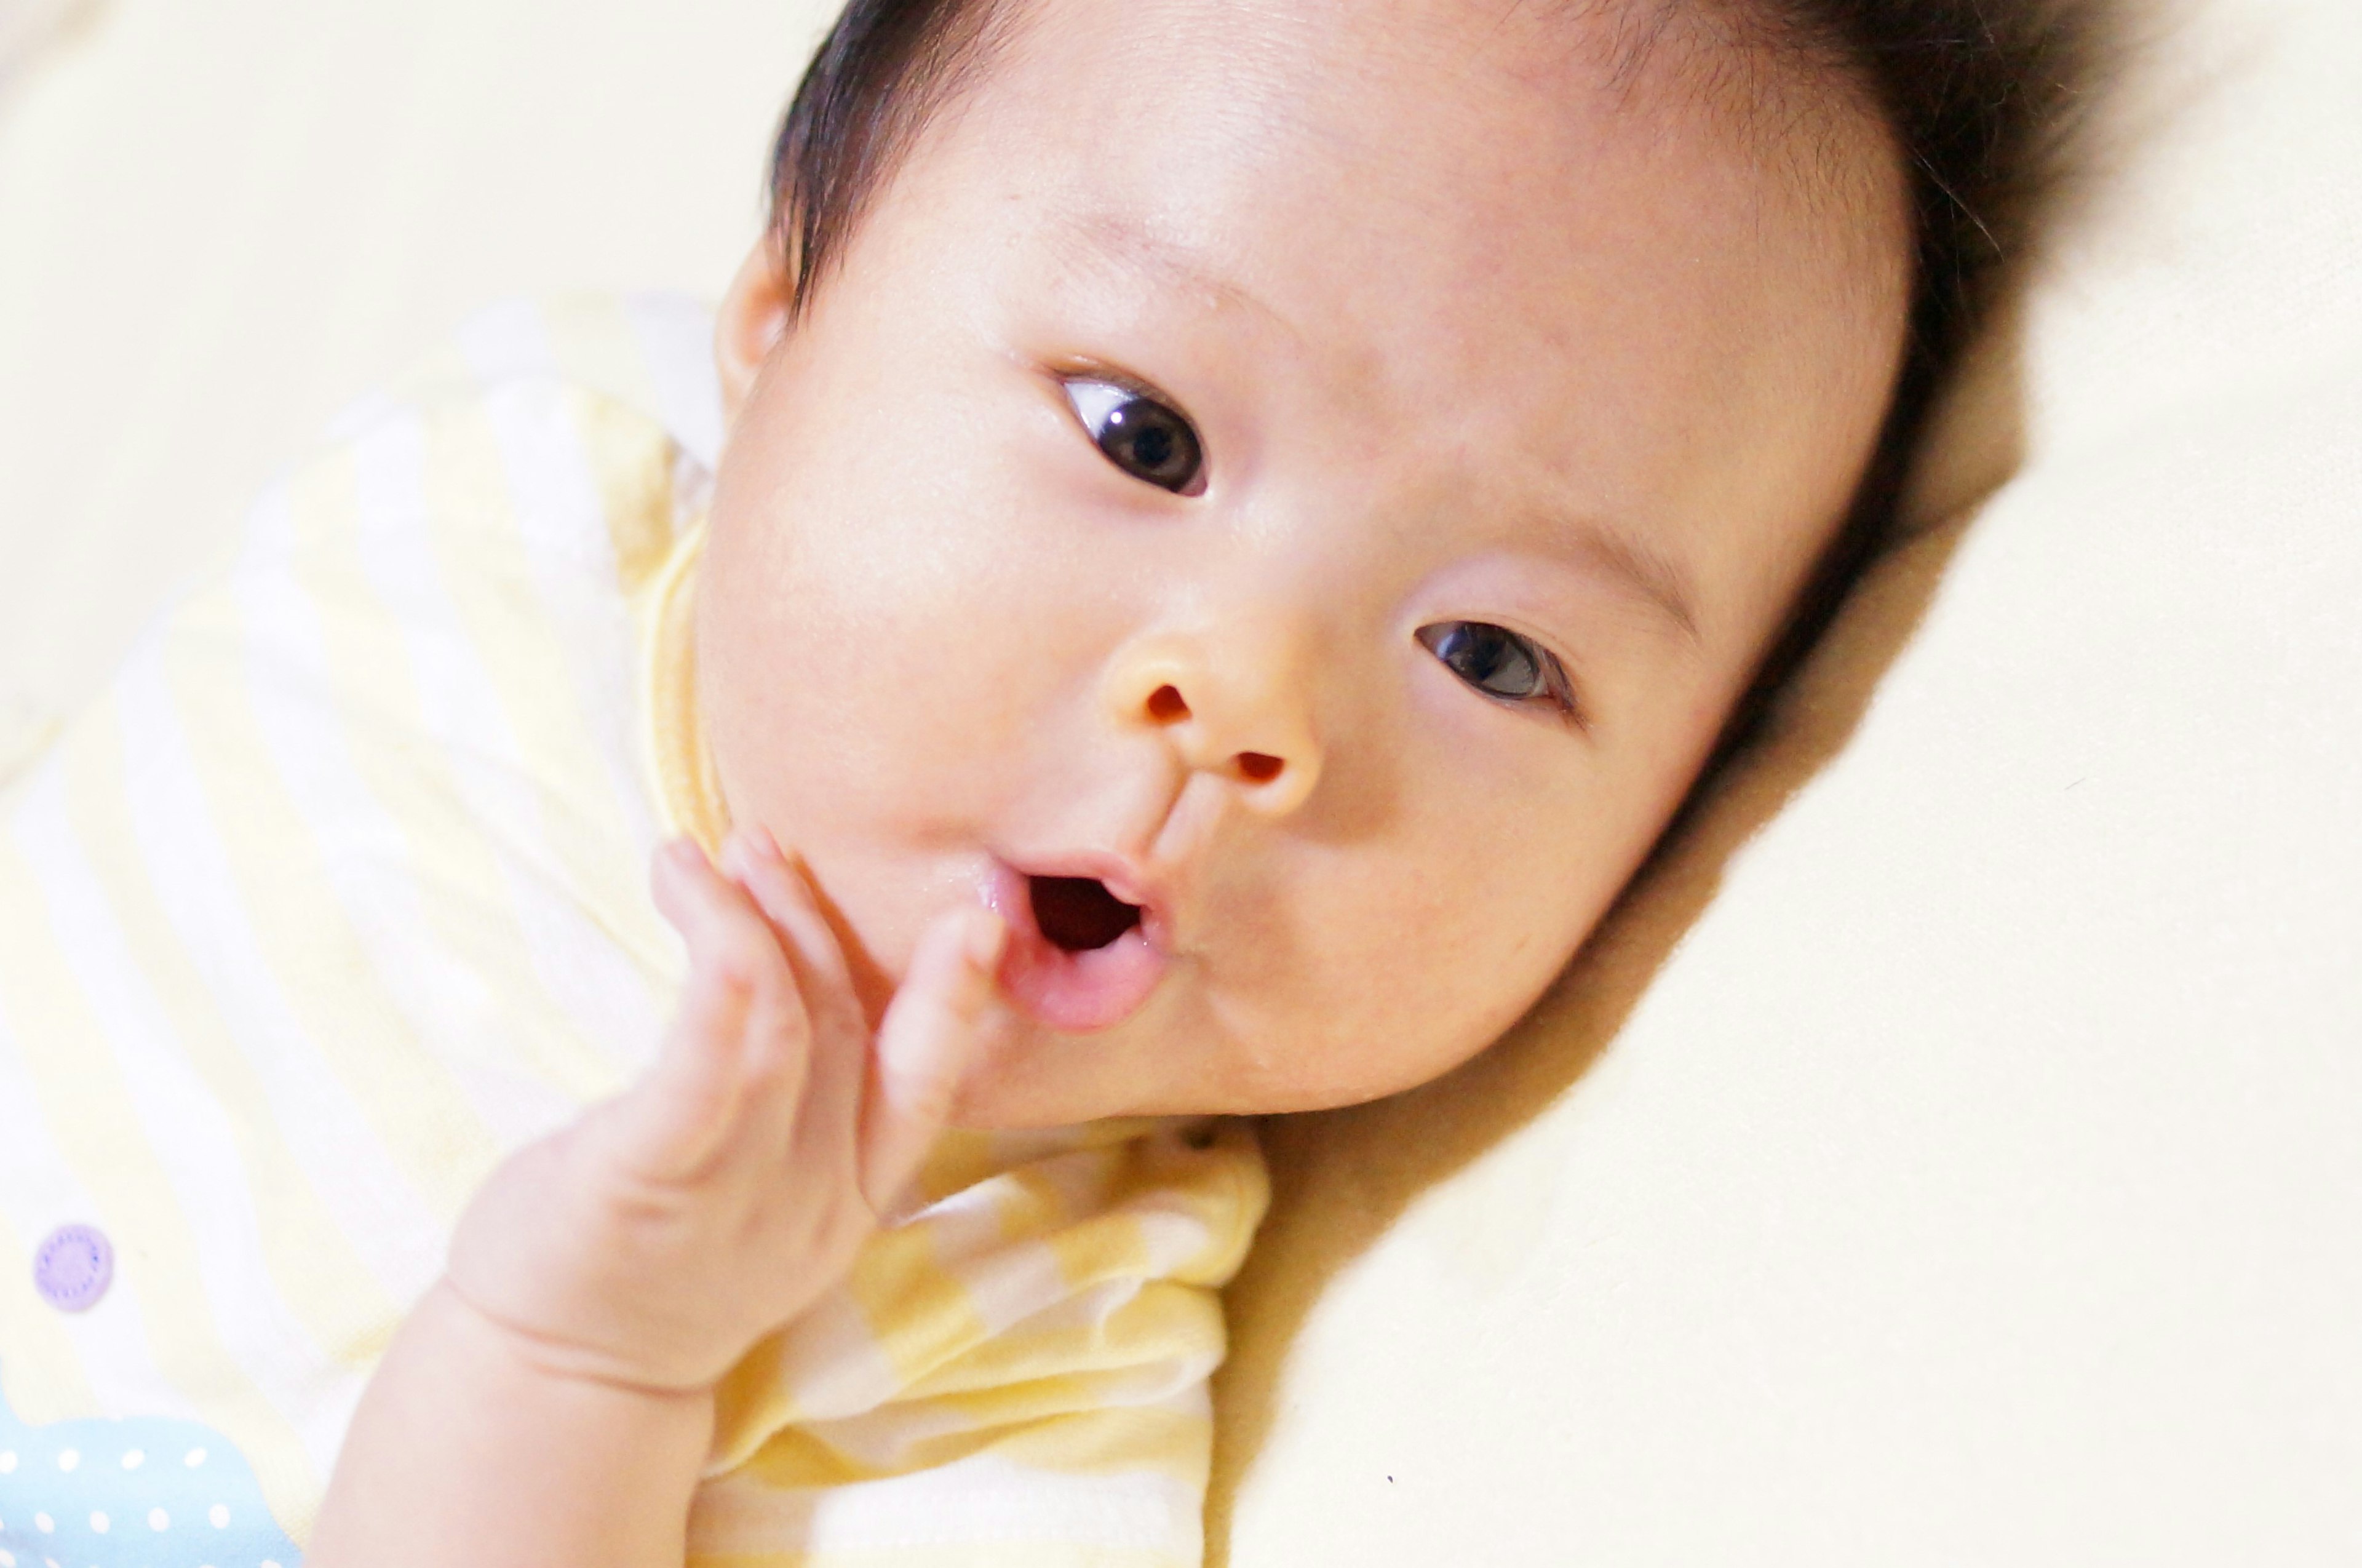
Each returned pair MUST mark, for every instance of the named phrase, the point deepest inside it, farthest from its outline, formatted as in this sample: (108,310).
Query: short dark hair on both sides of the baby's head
(1981,98)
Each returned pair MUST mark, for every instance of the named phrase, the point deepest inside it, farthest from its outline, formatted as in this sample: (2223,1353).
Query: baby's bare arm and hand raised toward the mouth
(552,1399)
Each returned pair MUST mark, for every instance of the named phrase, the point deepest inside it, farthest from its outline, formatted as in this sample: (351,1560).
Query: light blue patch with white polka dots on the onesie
(131,1496)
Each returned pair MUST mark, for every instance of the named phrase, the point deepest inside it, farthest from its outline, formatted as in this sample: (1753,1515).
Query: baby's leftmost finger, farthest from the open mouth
(733,1061)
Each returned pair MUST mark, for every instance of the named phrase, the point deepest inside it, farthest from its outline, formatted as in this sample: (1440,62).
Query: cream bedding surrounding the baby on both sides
(1966,1168)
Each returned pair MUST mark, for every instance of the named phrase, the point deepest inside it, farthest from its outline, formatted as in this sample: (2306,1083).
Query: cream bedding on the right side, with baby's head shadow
(1964,1158)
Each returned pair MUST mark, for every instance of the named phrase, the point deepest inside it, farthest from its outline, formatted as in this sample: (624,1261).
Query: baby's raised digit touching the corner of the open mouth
(927,1045)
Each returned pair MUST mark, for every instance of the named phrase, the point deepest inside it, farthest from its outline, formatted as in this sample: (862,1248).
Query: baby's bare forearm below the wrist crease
(466,1451)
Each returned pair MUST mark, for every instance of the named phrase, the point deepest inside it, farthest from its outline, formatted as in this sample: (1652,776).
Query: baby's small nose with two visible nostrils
(1232,705)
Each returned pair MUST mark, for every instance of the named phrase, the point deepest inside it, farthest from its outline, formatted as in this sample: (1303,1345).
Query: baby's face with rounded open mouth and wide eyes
(1324,473)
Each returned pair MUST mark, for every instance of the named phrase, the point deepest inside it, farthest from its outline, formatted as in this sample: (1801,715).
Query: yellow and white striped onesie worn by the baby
(339,896)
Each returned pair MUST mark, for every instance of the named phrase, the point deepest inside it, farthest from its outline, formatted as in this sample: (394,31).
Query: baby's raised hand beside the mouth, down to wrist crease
(663,1234)
